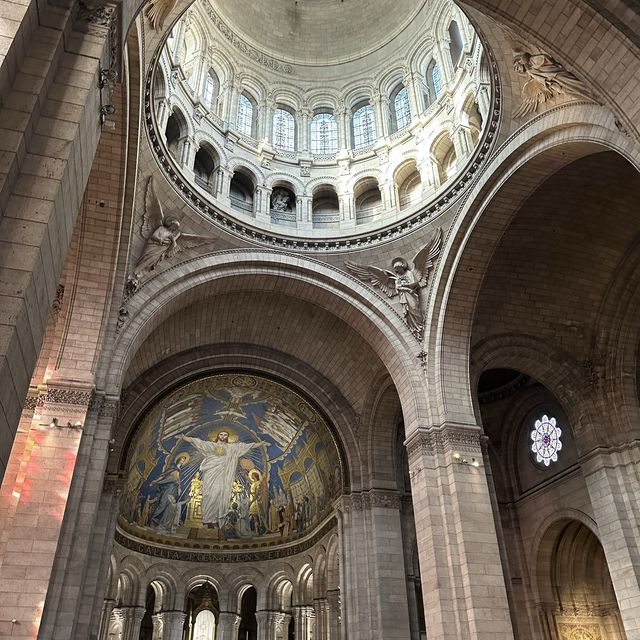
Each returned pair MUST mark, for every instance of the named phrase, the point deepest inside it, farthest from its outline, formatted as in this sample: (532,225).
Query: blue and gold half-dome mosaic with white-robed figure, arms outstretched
(230,458)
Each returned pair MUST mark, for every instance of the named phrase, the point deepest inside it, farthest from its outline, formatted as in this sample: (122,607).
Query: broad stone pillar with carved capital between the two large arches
(462,578)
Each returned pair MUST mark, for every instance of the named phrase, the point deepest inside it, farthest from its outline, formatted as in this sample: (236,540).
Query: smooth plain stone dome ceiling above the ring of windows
(318,32)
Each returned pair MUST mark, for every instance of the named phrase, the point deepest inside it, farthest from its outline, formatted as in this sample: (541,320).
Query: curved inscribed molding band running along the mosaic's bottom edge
(214,554)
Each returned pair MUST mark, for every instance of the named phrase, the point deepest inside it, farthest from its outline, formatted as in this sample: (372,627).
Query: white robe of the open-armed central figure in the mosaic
(217,471)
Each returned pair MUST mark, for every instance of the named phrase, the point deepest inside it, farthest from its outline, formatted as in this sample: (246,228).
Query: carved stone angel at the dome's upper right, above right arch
(547,79)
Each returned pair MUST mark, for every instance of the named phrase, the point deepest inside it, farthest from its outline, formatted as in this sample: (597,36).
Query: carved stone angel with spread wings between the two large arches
(404,281)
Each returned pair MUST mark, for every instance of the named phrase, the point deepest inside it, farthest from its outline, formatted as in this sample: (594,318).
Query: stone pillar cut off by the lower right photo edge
(614,489)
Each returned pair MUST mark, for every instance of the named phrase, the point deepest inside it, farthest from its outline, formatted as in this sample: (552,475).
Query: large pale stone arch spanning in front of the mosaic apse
(341,295)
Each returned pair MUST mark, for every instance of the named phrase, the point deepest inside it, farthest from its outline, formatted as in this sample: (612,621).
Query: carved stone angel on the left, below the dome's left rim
(164,238)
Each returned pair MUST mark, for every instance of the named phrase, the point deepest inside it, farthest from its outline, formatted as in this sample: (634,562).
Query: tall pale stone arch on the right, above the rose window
(522,163)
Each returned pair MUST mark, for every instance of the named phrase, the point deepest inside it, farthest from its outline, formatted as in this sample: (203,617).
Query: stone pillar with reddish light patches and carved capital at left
(33,503)
